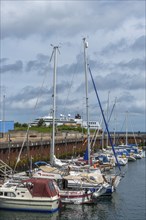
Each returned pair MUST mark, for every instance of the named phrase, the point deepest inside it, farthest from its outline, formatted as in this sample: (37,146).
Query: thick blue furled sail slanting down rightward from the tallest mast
(104,118)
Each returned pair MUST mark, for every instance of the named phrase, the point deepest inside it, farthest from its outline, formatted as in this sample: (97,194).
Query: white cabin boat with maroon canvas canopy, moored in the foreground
(32,195)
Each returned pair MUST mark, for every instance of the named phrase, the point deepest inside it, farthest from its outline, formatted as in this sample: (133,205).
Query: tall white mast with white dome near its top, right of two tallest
(86,84)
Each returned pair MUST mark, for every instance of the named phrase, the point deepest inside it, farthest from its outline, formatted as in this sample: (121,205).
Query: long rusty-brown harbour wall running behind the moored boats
(37,145)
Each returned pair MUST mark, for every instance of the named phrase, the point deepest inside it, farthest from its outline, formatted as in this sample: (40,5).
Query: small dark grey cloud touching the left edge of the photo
(16,67)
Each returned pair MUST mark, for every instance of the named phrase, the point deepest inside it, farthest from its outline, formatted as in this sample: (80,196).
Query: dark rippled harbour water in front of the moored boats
(127,203)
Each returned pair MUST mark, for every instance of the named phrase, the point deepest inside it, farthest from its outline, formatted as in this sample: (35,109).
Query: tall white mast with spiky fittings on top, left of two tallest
(55,50)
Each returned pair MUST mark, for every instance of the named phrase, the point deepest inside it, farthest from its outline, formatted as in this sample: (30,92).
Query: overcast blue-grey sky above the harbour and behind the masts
(115,31)
